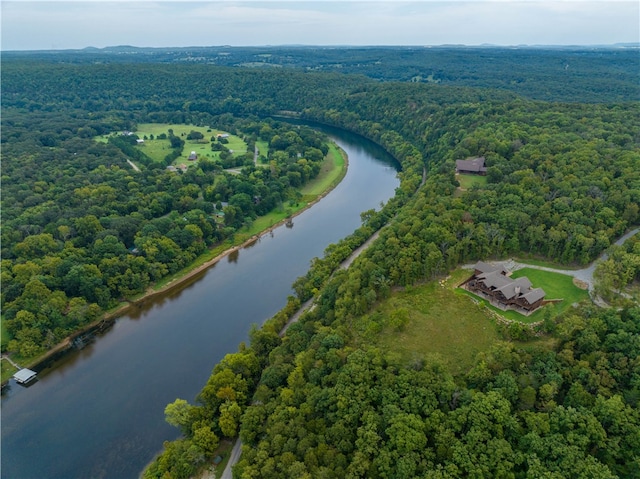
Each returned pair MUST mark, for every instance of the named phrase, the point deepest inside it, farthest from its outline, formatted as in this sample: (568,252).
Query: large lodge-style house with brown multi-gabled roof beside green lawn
(494,284)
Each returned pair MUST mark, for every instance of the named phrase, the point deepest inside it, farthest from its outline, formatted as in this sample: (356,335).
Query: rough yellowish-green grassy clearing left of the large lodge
(440,322)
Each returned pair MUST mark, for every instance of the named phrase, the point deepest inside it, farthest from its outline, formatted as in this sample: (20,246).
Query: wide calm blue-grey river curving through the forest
(99,412)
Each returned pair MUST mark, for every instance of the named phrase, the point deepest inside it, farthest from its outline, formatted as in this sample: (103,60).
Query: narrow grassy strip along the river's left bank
(332,173)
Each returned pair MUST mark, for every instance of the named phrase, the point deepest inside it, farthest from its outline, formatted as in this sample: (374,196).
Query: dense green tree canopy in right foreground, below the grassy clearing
(325,409)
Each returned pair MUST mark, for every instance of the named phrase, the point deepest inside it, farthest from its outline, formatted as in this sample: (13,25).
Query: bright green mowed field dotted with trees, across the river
(159,149)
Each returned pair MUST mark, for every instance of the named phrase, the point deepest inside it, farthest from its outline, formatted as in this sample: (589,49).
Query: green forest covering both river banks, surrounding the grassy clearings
(562,184)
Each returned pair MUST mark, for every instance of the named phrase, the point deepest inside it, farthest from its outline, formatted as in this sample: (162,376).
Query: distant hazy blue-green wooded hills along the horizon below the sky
(592,75)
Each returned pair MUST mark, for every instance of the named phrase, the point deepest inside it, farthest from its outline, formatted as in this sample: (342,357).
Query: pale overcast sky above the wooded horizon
(54,24)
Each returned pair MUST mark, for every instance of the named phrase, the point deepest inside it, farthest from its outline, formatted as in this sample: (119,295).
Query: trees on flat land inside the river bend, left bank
(82,231)
